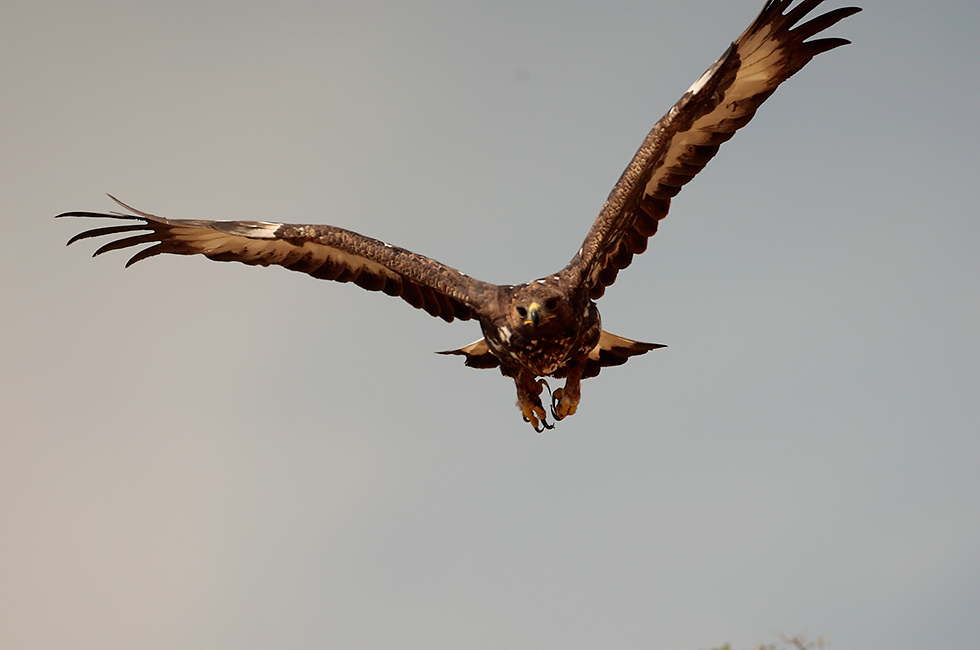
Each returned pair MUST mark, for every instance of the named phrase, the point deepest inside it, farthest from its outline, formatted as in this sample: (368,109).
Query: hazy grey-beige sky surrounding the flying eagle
(202,455)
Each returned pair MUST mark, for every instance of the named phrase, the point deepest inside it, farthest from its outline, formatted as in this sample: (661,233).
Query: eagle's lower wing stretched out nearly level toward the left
(324,252)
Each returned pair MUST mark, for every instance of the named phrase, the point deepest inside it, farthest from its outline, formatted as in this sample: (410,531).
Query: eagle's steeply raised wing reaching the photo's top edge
(722,101)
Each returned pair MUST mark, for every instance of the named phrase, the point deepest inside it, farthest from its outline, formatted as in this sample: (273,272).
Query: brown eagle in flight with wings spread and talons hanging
(549,327)
